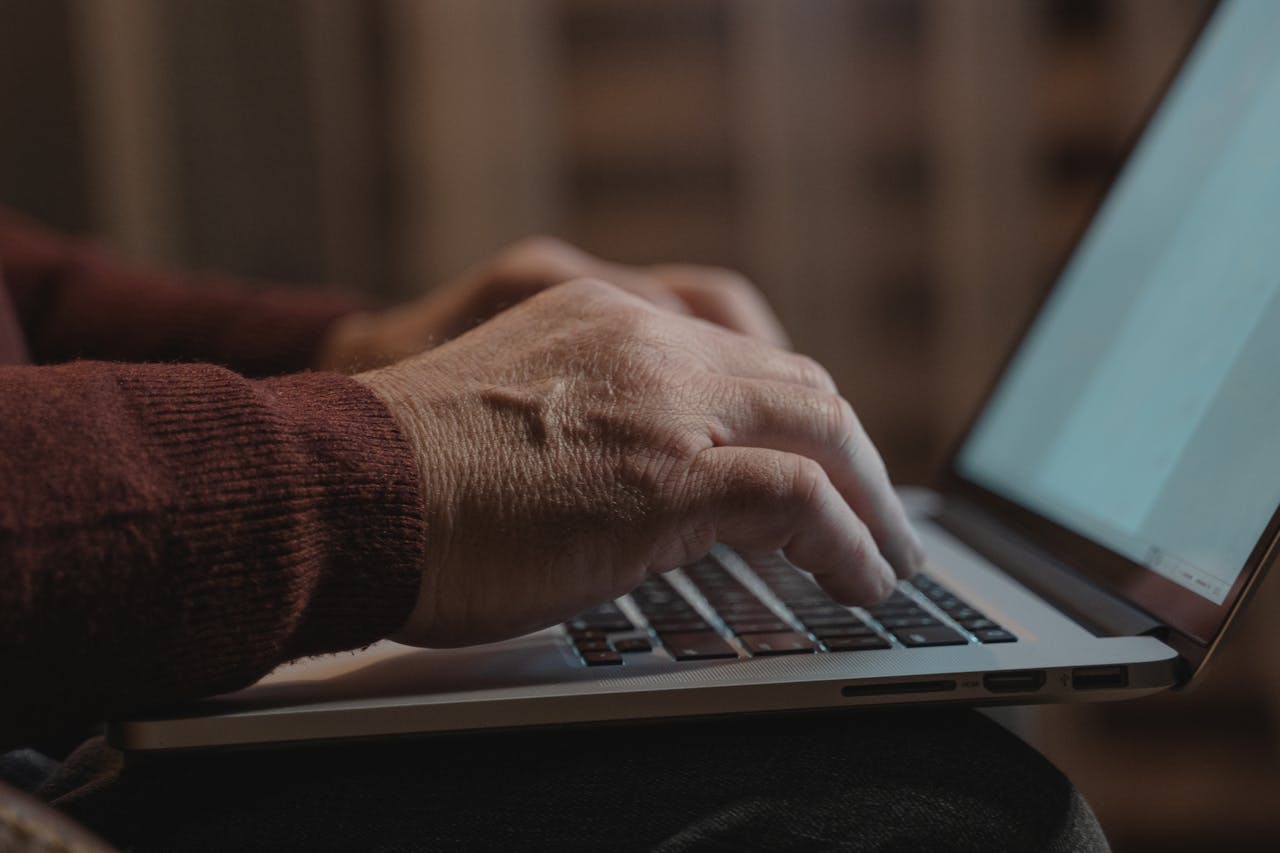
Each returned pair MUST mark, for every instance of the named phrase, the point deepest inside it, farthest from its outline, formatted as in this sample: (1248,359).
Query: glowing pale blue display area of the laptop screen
(1144,409)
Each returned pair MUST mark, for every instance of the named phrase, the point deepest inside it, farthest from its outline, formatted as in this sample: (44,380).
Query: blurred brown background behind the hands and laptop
(900,177)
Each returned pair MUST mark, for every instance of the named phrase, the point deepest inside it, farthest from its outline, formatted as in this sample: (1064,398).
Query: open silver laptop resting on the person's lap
(1104,521)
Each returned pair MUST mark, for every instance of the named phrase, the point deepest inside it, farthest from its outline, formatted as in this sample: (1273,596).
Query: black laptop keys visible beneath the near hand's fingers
(738,623)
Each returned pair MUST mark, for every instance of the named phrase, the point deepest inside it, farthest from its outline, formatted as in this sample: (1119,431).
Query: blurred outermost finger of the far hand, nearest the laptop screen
(725,299)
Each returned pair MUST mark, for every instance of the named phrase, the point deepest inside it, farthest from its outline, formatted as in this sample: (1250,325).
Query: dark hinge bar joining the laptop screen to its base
(1094,608)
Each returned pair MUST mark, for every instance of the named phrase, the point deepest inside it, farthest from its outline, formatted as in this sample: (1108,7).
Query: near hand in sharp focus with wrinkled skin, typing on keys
(584,440)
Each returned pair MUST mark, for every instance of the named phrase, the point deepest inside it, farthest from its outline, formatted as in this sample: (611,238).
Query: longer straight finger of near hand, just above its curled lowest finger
(822,427)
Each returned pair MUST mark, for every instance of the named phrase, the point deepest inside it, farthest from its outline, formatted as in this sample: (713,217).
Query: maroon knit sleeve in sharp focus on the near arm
(177,531)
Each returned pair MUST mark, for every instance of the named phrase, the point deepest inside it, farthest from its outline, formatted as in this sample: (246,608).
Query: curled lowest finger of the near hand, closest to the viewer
(764,500)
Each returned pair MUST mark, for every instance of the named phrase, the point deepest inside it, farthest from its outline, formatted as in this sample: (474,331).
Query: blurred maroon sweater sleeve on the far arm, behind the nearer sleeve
(76,302)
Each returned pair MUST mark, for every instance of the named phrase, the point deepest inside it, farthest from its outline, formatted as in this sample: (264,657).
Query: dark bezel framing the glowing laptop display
(1183,610)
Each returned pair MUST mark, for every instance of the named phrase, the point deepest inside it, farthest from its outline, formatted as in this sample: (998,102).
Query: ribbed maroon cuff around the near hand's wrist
(299,516)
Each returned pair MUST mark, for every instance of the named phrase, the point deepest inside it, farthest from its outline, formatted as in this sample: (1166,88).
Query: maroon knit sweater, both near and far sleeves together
(168,527)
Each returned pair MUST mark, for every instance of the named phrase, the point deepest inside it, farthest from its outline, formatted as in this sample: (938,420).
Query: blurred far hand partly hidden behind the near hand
(371,340)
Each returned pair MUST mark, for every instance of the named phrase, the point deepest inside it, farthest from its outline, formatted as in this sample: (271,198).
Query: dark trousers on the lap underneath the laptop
(866,781)
